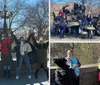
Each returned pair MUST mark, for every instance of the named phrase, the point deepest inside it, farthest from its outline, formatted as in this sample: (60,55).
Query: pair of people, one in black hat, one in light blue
(68,72)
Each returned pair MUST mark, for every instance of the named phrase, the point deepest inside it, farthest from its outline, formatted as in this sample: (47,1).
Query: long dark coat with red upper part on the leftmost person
(6,51)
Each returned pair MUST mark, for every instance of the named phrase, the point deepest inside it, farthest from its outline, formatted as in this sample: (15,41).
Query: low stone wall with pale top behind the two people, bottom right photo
(88,74)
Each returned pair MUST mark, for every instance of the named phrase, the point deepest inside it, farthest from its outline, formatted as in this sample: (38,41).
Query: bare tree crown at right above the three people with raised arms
(37,16)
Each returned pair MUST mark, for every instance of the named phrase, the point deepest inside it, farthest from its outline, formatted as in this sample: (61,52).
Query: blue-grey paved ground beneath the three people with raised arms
(25,81)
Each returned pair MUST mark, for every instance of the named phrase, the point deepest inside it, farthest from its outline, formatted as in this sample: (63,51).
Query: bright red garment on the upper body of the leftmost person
(4,45)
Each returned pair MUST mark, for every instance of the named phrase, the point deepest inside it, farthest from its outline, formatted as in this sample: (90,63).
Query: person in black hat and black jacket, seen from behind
(64,75)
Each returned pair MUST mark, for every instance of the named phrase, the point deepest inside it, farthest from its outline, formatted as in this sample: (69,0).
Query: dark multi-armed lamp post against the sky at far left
(4,14)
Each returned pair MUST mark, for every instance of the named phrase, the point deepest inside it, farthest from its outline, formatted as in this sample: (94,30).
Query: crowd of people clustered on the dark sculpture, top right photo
(77,14)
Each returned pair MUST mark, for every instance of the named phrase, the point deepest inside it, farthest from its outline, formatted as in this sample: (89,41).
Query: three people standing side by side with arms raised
(30,50)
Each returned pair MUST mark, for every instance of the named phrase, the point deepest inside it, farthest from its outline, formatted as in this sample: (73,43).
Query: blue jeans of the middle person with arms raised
(27,61)
